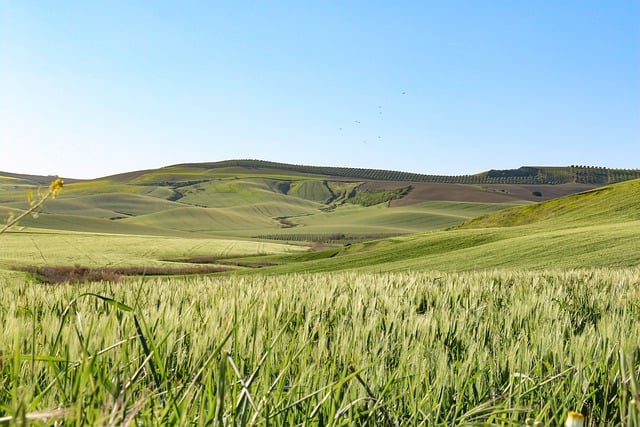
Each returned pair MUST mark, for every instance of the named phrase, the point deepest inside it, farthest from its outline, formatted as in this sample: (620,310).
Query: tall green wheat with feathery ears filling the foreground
(324,349)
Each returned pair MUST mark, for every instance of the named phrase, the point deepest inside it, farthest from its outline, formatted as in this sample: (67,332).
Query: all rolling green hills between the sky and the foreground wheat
(371,220)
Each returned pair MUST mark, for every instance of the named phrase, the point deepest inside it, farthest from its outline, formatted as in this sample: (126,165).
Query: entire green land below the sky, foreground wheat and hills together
(253,293)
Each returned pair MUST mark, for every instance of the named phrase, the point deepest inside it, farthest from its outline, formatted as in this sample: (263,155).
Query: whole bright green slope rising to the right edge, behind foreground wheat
(597,228)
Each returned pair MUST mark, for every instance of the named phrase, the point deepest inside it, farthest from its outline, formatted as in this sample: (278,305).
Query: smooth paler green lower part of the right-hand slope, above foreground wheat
(524,247)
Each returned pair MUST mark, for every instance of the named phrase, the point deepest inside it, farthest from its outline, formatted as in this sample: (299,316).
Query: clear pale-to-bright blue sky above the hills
(91,88)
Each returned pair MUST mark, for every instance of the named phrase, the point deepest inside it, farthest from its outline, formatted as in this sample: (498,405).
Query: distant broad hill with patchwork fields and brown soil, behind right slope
(252,198)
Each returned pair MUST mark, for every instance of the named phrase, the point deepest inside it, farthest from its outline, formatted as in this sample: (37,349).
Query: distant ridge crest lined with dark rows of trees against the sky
(523,175)
